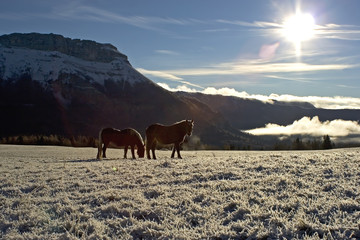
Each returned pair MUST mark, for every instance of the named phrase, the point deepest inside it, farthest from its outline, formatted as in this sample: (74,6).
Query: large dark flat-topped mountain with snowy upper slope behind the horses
(50,84)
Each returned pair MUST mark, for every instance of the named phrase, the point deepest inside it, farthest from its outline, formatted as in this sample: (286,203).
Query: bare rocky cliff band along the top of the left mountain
(83,49)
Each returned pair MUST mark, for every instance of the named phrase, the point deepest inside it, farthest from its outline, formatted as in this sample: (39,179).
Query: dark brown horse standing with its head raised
(166,135)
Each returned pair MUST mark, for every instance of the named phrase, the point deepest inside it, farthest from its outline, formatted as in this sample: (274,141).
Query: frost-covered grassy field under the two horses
(65,193)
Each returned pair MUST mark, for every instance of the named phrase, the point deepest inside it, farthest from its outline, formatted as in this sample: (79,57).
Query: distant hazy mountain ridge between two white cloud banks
(249,114)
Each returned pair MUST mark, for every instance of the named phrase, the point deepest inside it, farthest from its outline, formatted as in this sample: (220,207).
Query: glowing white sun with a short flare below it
(298,28)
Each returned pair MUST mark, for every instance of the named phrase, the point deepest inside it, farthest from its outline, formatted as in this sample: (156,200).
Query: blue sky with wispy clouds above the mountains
(231,47)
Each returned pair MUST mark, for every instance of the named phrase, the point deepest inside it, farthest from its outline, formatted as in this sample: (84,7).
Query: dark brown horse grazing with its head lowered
(126,137)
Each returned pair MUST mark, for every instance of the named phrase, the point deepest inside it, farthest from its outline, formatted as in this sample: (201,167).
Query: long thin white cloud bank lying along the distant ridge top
(336,102)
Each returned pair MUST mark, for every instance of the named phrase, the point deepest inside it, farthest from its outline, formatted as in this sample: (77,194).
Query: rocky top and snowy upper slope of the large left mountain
(49,58)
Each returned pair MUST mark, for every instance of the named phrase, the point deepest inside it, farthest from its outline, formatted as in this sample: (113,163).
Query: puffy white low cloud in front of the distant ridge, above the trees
(310,126)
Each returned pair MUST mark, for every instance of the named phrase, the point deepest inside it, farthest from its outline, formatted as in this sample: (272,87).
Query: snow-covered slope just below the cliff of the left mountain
(47,66)
